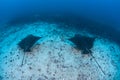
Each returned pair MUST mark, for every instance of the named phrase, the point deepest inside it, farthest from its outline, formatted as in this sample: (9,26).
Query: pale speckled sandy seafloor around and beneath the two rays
(54,57)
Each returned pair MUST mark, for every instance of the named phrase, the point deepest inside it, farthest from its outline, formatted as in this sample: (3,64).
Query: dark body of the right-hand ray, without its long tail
(83,43)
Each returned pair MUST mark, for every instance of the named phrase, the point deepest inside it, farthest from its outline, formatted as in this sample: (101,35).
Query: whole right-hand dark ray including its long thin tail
(85,43)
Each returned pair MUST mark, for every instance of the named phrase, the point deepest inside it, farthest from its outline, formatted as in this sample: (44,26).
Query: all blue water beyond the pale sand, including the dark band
(99,17)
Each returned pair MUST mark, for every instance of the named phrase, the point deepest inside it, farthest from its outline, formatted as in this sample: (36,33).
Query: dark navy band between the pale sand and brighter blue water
(72,20)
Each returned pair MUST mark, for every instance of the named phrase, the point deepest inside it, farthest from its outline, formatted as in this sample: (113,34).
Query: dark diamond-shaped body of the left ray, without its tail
(28,42)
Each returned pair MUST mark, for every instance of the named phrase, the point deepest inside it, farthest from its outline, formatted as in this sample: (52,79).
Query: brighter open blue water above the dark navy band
(105,11)
